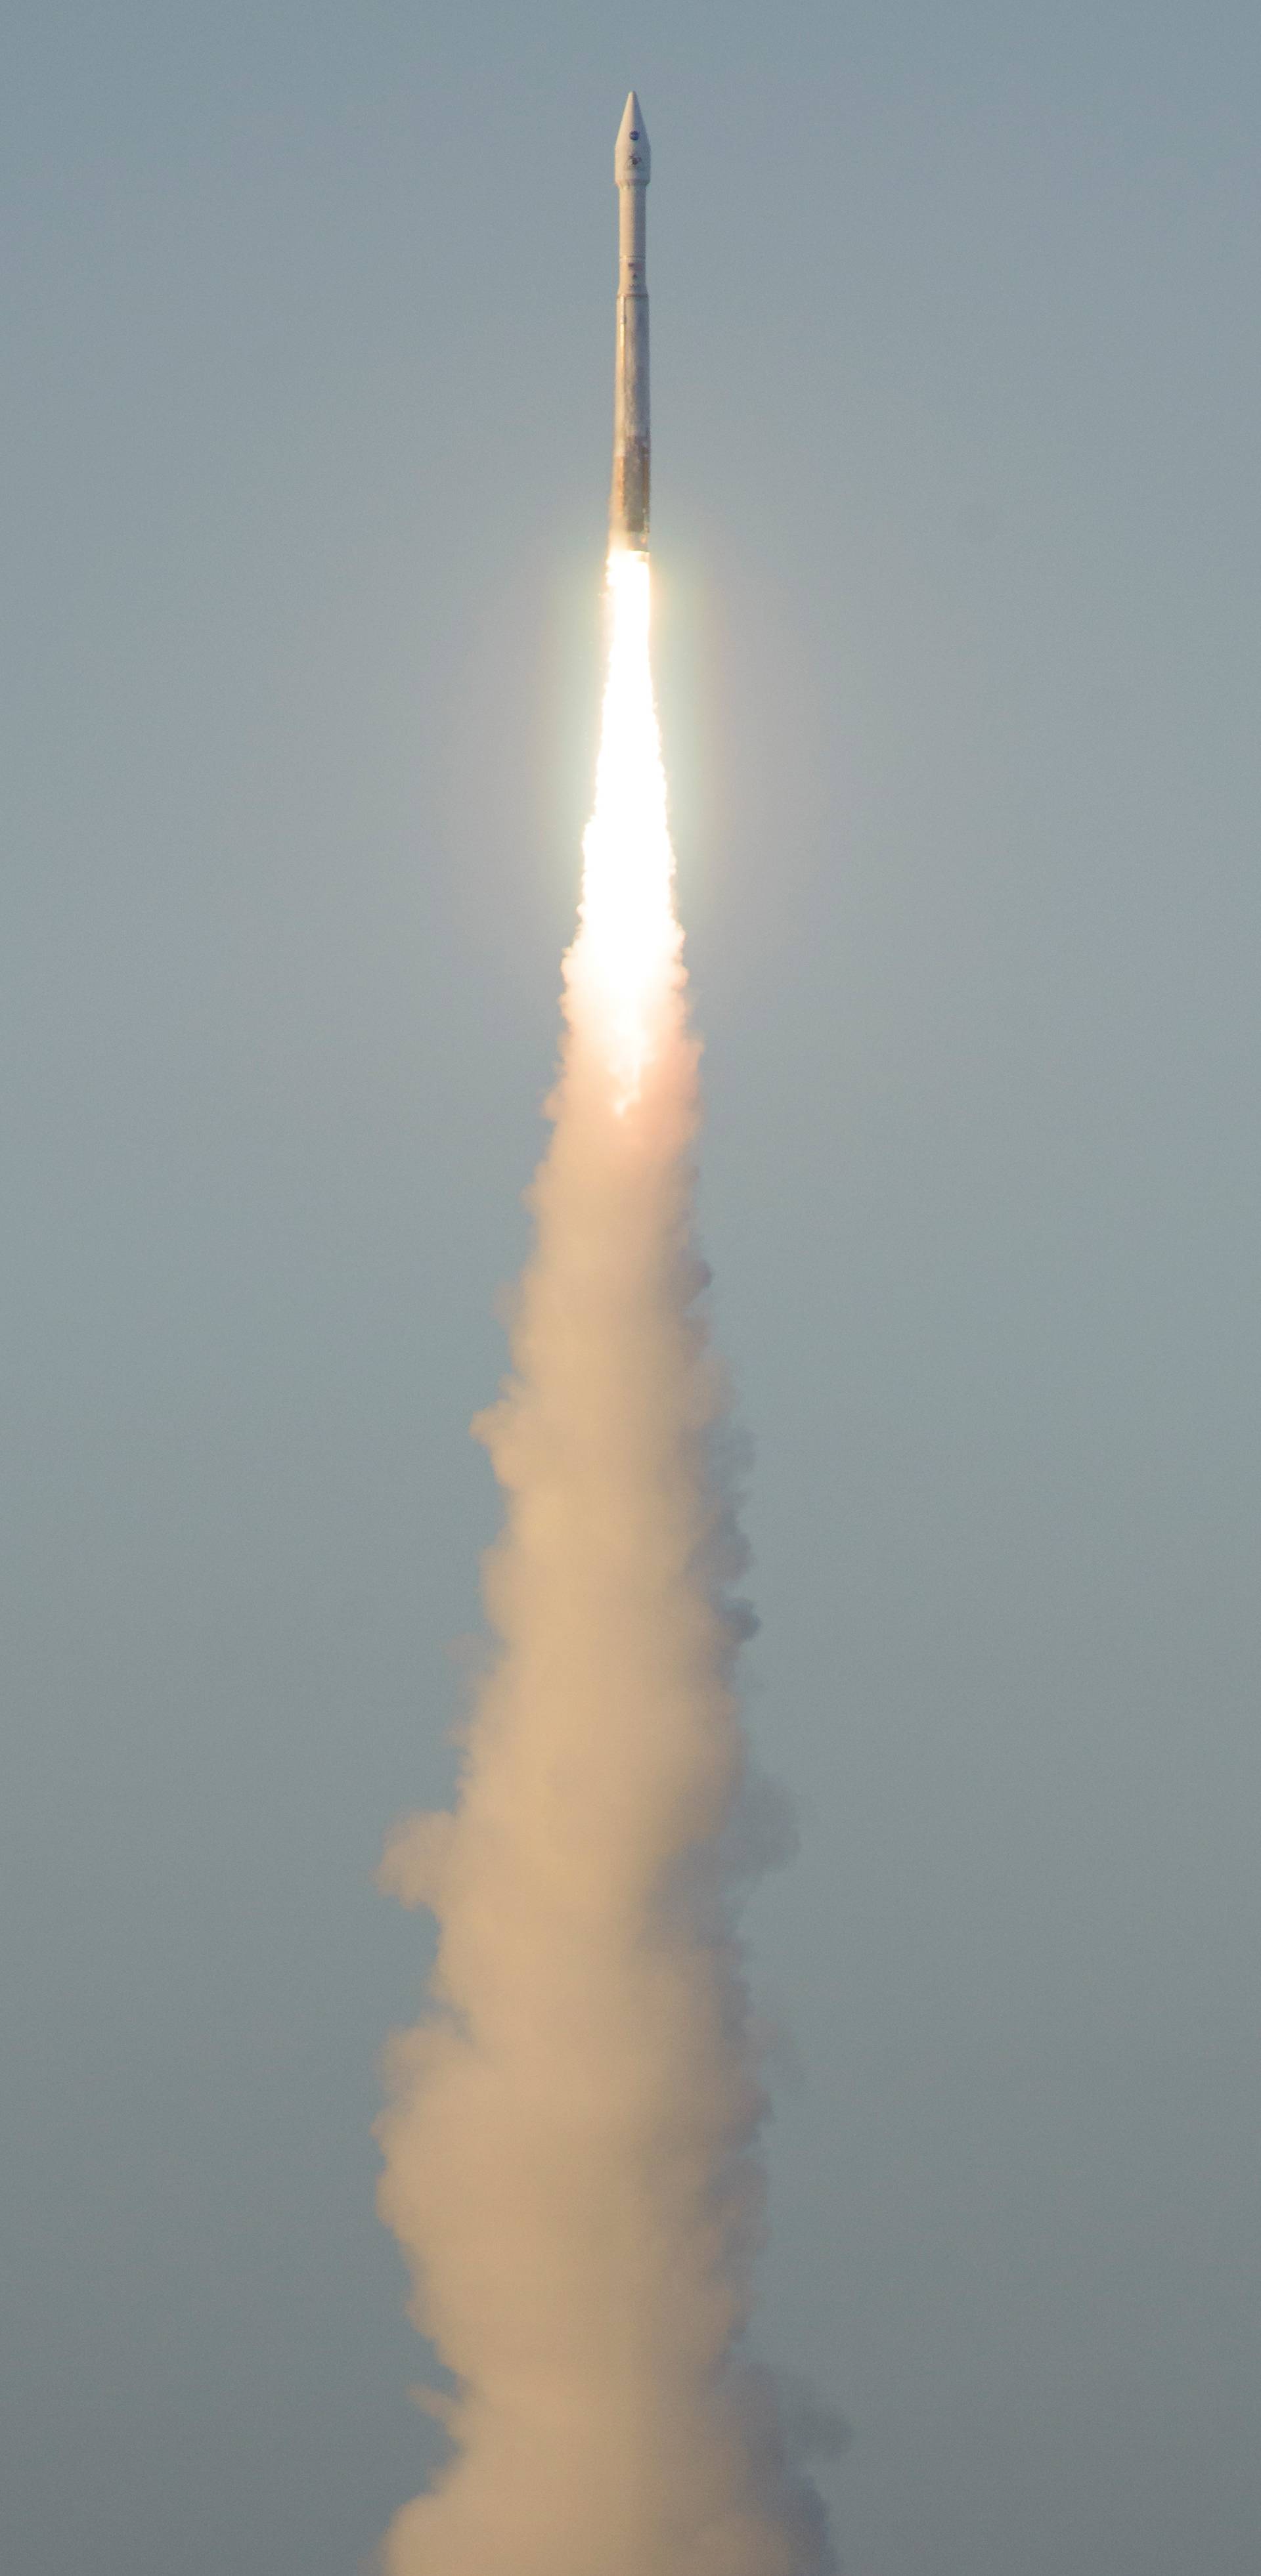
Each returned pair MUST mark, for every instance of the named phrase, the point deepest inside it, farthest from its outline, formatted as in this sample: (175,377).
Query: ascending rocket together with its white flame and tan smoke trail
(569,2145)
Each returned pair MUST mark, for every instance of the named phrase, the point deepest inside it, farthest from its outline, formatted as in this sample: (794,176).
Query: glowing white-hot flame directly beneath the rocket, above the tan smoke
(625,960)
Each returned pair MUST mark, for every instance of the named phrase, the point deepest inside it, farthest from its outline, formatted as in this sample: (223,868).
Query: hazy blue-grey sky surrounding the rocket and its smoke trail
(308,328)
